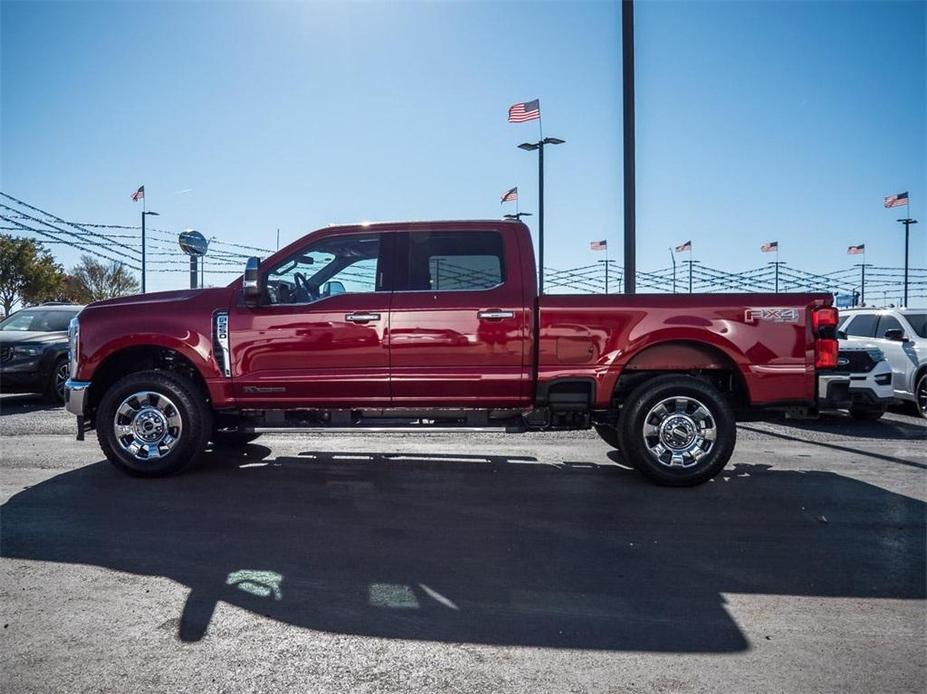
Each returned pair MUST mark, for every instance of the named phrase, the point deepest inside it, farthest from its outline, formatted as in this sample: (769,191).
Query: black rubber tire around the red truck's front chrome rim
(182,397)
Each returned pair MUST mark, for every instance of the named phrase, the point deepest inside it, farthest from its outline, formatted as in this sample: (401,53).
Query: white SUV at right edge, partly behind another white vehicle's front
(902,335)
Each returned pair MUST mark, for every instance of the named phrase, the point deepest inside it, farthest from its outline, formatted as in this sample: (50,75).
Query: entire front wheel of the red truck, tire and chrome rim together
(153,423)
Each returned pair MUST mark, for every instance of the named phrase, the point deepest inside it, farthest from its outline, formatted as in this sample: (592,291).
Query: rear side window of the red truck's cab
(455,261)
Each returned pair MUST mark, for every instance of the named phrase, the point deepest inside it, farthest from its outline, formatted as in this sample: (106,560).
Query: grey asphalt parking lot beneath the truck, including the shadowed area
(488,563)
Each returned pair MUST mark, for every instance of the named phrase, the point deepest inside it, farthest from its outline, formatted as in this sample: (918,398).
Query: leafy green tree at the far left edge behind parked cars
(28,273)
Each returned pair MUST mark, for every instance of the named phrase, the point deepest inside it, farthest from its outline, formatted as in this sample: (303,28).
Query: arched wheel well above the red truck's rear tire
(688,358)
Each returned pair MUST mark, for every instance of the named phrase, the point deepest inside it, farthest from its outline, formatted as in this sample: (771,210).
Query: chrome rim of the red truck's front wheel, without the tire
(147,425)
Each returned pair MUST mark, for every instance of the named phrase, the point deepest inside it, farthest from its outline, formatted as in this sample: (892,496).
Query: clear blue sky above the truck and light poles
(756,121)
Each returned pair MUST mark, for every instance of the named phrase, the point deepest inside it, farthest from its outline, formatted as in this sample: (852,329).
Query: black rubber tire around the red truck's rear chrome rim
(699,458)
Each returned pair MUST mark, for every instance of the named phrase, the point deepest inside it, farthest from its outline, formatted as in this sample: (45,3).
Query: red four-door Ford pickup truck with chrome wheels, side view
(436,326)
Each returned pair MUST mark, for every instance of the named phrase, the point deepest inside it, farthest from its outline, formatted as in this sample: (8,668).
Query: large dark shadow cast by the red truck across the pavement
(477,549)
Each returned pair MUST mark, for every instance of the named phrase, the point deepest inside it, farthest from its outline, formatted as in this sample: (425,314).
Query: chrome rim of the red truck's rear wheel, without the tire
(679,432)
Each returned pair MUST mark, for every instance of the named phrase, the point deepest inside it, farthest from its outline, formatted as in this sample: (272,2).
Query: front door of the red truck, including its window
(319,336)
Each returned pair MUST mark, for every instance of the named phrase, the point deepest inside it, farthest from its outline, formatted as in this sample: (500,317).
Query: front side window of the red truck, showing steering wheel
(330,266)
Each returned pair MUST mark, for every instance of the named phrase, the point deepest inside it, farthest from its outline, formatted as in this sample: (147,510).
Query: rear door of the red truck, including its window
(458,322)
